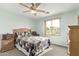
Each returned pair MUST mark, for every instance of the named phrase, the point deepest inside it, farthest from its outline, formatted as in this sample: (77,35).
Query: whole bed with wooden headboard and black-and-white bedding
(28,44)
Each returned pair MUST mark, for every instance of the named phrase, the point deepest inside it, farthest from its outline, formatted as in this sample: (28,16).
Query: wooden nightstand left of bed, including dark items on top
(7,43)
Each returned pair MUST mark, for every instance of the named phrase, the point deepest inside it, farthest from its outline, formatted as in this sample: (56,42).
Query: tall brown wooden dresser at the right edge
(73,41)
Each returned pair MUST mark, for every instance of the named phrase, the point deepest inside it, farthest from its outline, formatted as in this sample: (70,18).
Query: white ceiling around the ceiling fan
(53,8)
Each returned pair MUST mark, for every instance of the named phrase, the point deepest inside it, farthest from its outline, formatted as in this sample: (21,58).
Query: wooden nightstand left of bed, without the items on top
(7,44)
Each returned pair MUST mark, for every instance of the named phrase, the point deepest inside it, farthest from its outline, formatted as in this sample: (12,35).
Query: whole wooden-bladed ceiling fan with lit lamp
(34,8)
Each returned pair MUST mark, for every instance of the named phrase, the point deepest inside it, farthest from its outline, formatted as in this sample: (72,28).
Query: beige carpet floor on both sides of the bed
(55,51)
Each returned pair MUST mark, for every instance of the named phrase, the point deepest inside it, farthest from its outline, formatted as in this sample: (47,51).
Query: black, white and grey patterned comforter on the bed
(33,45)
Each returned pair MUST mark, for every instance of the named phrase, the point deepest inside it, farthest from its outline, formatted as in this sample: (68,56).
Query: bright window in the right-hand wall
(52,27)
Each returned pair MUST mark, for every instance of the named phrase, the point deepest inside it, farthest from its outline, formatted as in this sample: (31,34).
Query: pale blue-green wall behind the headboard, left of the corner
(10,21)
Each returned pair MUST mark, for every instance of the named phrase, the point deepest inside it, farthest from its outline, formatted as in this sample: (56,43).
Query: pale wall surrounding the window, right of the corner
(68,18)
